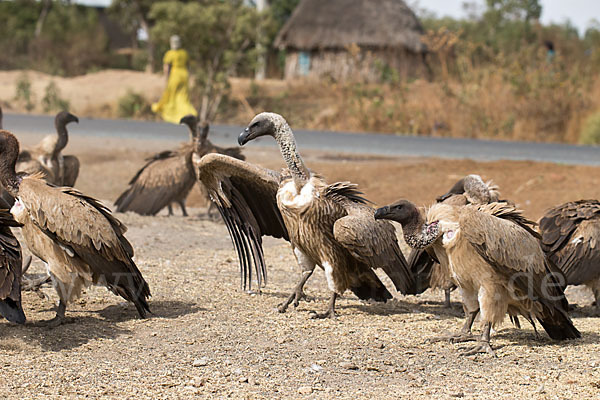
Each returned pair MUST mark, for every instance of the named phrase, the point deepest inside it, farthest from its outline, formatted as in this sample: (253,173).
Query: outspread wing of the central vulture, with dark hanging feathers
(245,195)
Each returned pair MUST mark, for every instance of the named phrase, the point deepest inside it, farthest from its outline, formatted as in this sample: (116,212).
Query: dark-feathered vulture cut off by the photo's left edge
(10,268)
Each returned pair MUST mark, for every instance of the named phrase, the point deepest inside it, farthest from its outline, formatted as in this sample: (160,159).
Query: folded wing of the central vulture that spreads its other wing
(373,243)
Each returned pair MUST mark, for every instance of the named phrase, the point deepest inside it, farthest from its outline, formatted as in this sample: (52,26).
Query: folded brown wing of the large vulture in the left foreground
(87,229)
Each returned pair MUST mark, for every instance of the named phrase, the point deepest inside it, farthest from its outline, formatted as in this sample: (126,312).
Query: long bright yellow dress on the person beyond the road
(175,100)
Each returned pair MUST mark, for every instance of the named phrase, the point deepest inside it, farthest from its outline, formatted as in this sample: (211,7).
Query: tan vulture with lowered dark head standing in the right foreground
(497,262)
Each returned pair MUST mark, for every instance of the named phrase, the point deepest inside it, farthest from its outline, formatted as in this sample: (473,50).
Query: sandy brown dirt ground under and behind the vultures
(209,339)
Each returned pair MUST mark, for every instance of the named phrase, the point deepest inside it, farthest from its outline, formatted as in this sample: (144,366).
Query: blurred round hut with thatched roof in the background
(349,39)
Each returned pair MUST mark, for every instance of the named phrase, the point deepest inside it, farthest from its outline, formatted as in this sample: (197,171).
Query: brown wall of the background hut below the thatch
(368,65)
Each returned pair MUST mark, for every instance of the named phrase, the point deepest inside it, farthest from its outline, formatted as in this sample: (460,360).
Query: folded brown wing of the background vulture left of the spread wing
(157,184)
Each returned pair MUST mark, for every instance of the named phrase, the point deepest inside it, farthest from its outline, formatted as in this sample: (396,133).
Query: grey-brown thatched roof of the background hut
(335,24)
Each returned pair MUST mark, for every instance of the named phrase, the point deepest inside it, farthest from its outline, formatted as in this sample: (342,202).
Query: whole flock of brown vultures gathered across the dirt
(470,239)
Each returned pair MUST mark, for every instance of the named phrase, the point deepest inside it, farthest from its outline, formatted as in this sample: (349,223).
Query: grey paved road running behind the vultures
(375,144)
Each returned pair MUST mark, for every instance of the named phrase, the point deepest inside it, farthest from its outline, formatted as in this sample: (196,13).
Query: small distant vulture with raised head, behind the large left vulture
(47,157)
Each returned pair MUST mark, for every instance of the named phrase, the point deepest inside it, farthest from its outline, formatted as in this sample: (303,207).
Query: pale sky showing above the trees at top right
(579,12)
